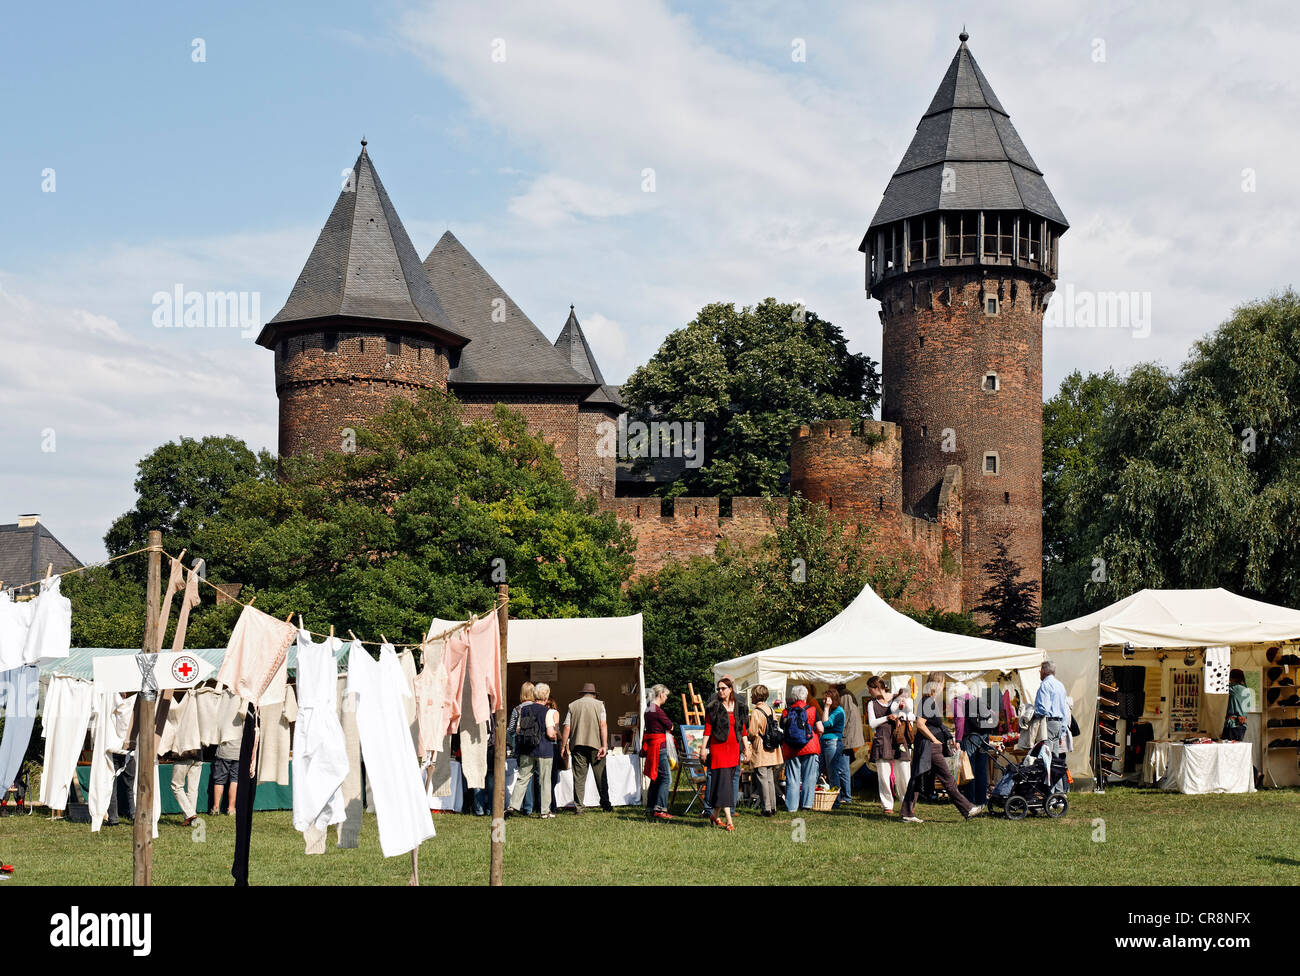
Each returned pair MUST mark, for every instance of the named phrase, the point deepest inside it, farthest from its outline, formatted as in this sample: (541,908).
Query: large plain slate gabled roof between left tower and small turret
(512,352)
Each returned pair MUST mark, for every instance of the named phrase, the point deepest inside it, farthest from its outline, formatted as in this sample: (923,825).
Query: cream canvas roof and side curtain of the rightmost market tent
(1154,622)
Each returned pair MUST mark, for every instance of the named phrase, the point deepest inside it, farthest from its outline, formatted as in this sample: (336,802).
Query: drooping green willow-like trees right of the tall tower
(1189,479)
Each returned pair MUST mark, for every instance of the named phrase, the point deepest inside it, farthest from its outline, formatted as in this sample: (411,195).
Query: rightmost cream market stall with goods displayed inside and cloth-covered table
(1155,647)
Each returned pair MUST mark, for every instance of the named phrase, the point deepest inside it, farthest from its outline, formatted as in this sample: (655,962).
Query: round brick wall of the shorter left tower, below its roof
(323,393)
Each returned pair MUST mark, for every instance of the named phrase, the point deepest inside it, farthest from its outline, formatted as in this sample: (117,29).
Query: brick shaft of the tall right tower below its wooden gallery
(939,344)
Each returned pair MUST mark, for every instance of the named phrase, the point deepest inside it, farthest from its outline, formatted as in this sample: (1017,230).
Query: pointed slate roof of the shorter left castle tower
(365,267)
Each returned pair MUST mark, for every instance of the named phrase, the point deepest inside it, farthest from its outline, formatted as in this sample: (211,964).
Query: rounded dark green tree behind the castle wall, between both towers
(752,376)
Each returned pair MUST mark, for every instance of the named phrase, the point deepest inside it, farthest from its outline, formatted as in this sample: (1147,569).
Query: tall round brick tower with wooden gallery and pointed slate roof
(963,257)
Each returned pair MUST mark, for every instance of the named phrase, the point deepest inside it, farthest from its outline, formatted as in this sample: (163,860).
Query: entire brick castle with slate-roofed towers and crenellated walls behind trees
(961,254)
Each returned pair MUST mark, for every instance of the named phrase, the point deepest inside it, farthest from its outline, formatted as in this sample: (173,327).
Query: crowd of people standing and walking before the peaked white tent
(817,739)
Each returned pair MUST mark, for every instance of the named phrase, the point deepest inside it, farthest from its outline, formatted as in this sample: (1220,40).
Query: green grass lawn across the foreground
(1151,839)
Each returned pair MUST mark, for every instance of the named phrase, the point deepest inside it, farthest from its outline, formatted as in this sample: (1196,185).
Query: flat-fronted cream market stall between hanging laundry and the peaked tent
(567,653)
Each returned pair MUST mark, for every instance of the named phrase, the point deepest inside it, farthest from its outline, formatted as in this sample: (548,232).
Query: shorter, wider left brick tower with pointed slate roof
(362,324)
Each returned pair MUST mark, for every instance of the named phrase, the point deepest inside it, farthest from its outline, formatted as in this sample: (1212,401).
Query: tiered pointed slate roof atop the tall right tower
(968,132)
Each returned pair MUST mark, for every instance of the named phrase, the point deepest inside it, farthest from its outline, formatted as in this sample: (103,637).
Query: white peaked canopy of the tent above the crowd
(870,637)
